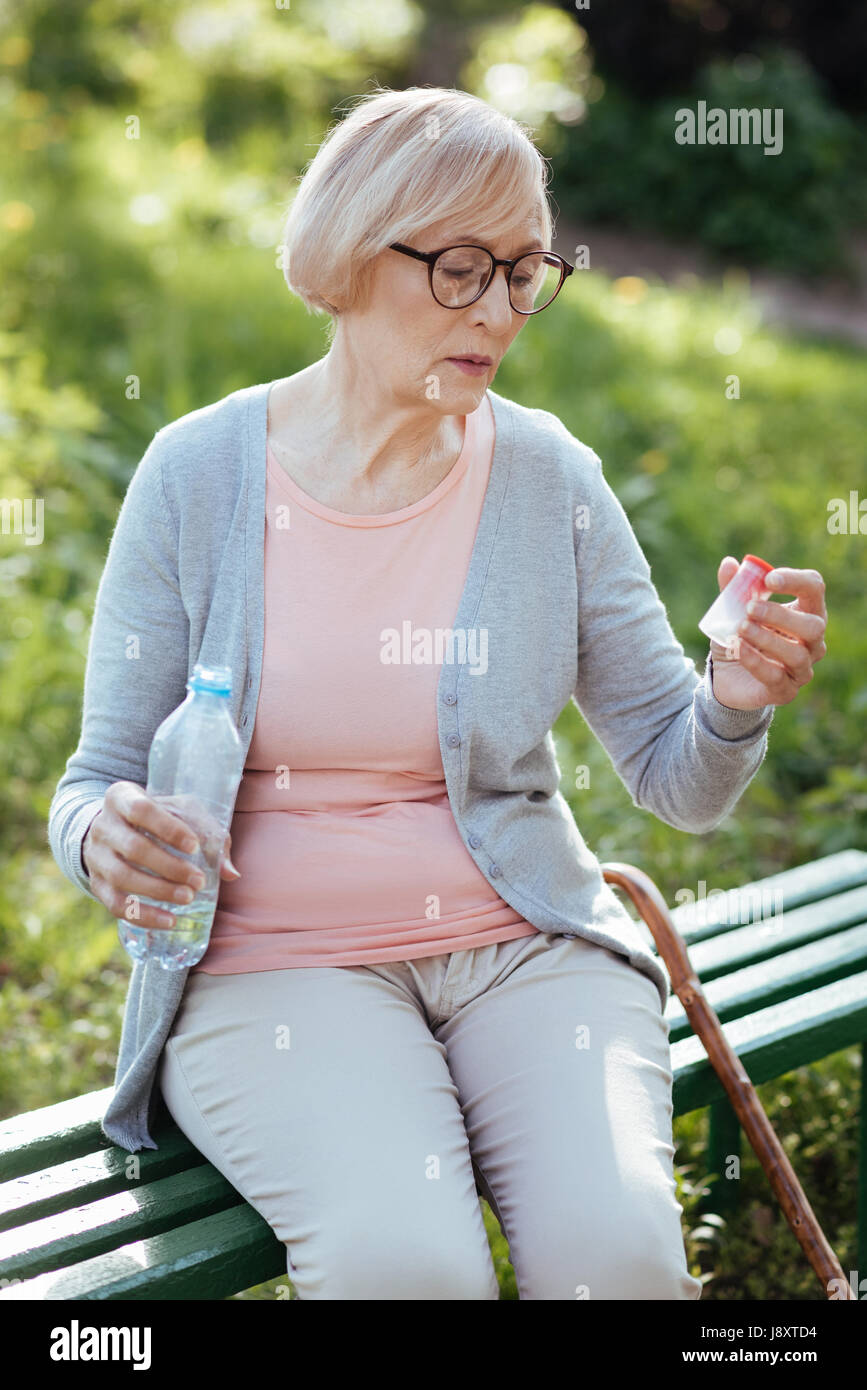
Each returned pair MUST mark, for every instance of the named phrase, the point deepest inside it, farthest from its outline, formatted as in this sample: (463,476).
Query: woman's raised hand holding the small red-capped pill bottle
(776,653)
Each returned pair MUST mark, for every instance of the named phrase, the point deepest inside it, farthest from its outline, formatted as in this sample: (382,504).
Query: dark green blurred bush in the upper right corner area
(791,211)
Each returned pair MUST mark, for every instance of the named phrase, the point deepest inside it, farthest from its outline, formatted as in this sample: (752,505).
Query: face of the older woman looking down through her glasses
(409,338)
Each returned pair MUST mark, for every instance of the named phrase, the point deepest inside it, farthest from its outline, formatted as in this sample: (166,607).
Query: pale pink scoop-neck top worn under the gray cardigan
(342,832)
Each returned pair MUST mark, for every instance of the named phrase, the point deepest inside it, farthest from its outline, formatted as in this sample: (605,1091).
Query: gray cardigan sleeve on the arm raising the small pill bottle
(680,753)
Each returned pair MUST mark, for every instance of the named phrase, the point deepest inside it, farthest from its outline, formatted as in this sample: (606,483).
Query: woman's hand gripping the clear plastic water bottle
(115,849)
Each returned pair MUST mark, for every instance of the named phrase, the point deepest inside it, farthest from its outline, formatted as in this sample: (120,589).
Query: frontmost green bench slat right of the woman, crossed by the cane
(775,1040)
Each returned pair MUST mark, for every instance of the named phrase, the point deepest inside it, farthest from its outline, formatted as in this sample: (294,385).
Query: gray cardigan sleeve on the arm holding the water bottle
(137,664)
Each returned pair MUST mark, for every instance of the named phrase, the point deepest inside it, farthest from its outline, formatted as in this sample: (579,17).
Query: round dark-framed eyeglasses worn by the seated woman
(461,275)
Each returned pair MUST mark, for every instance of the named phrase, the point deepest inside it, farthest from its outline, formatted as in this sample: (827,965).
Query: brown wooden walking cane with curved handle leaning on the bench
(732,1072)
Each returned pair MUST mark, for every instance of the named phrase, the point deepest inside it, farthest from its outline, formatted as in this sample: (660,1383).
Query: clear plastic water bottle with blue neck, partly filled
(194,769)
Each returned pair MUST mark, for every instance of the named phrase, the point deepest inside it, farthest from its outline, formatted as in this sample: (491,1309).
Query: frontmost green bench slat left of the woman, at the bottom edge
(215,1257)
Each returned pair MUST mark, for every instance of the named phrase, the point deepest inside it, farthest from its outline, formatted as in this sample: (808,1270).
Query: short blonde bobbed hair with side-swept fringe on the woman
(401,162)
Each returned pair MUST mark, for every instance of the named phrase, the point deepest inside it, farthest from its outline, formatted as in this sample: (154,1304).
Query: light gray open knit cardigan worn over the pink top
(559,582)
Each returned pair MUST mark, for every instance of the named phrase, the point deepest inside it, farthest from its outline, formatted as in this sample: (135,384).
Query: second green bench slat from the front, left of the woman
(109,1223)
